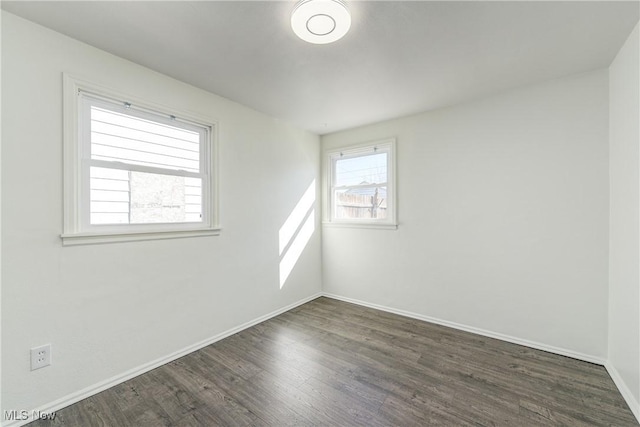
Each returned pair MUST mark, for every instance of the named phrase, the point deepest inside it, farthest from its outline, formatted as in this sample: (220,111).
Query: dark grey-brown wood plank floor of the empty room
(332,363)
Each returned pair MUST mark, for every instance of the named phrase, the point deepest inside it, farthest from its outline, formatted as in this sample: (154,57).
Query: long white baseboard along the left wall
(118,379)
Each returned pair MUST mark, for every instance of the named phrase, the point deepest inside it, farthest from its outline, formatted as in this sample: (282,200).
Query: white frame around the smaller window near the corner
(332,156)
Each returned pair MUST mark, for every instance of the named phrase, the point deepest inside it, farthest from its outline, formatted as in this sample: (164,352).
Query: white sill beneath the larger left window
(101,238)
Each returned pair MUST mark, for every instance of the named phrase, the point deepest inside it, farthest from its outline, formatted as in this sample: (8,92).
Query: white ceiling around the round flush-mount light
(399,57)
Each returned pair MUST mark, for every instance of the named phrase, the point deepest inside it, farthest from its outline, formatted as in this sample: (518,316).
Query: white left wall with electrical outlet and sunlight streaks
(107,309)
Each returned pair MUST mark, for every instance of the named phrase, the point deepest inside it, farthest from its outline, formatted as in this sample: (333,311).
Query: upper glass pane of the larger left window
(129,139)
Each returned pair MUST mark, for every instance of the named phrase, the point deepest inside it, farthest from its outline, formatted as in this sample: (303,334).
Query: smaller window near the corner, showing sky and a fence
(361,185)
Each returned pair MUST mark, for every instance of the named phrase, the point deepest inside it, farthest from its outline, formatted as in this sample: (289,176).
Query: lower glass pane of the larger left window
(130,197)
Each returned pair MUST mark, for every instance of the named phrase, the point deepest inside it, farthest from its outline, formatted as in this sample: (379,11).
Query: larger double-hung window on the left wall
(134,171)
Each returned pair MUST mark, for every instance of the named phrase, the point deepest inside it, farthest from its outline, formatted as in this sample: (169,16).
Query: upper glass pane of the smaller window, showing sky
(366,169)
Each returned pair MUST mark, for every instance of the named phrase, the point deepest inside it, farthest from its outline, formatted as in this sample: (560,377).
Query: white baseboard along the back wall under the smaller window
(474,330)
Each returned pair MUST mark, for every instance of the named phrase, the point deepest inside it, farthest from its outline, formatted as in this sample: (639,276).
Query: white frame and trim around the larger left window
(77,229)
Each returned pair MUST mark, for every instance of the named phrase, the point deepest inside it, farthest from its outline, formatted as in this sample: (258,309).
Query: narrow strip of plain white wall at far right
(624,266)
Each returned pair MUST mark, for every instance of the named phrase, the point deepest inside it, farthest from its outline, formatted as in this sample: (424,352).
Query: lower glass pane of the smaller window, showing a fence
(361,203)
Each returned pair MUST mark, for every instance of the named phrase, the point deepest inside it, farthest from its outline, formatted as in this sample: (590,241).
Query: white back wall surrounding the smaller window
(503,218)
